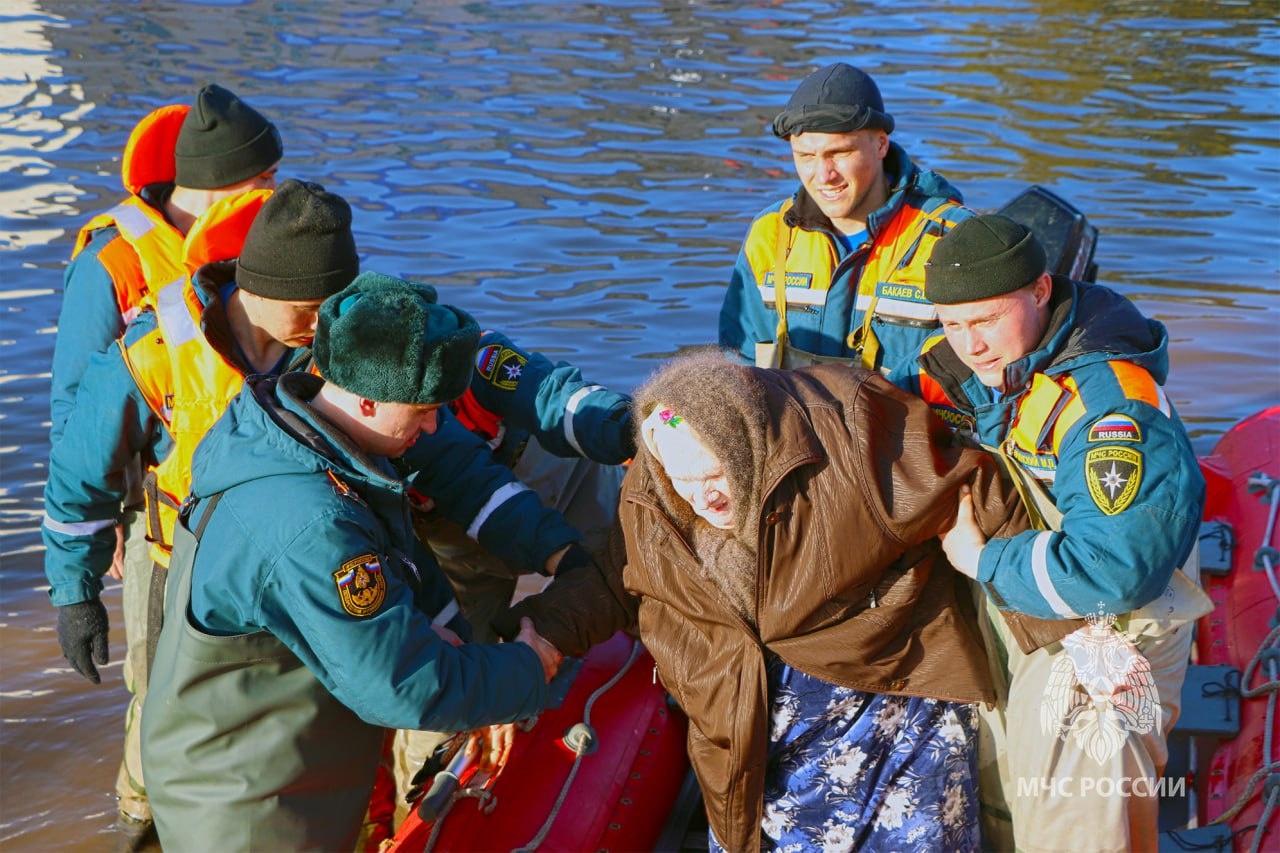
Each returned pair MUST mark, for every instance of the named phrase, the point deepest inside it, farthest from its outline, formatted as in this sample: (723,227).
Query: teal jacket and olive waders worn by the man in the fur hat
(307,578)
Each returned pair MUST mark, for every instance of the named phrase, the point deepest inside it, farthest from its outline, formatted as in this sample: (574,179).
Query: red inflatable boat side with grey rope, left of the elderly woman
(600,773)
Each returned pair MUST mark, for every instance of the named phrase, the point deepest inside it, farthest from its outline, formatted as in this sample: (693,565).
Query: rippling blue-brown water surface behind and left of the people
(580,176)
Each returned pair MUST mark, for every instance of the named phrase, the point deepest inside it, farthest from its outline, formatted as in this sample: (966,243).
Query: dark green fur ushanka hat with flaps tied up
(388,340)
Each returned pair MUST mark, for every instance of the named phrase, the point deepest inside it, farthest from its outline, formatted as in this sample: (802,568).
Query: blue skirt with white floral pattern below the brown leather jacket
(865,772)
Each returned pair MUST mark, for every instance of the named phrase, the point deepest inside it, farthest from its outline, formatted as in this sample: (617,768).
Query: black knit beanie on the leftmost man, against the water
(225,142)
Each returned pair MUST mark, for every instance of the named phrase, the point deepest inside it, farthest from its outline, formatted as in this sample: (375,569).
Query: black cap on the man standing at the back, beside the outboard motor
(835,99)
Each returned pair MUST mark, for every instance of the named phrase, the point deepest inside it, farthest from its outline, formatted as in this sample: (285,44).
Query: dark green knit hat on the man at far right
(981,258)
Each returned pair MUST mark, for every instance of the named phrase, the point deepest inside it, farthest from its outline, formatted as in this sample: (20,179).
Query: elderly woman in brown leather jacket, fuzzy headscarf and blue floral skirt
(779,553)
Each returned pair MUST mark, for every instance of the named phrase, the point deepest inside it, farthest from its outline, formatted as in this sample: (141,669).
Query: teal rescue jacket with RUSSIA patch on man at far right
(1087,416)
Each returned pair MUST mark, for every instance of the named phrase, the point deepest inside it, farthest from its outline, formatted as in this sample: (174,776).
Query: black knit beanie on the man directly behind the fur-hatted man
(300,245)
